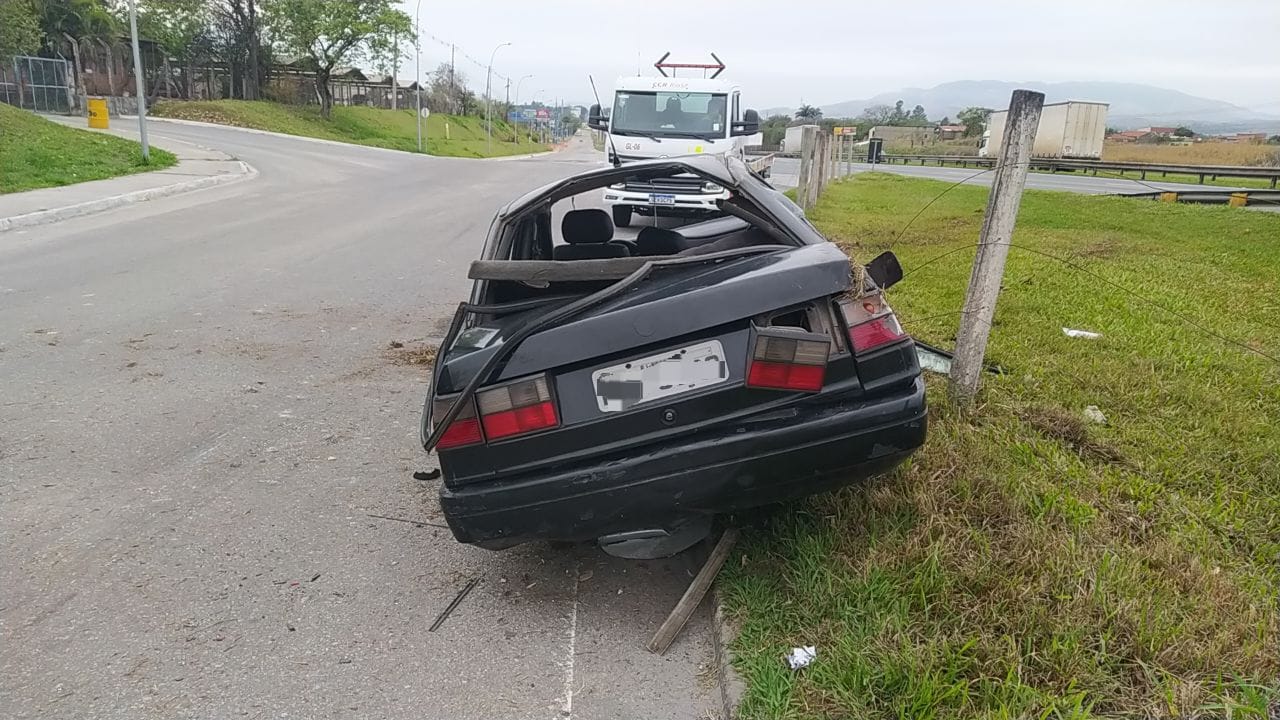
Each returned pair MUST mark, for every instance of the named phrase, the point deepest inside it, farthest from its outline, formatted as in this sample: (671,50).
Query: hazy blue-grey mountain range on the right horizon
(1132,106)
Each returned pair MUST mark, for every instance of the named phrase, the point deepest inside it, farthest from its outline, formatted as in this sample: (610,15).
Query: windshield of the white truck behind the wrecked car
(671,115)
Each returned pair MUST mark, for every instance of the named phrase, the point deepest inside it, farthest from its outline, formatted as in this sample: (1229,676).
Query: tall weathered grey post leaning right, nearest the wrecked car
(998,230)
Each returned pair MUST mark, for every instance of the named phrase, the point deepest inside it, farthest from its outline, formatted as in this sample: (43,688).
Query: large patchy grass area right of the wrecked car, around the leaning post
(1027,563)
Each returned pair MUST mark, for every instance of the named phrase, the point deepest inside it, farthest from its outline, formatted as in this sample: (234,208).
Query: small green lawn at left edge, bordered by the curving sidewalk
(38,153)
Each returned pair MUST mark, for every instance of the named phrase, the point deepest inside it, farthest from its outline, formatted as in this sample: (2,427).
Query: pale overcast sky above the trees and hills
(825,52)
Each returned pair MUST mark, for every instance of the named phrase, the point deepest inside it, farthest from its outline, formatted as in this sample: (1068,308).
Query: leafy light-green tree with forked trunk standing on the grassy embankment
(332,33)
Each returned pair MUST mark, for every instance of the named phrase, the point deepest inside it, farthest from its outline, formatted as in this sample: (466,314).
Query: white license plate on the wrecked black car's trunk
(647,380)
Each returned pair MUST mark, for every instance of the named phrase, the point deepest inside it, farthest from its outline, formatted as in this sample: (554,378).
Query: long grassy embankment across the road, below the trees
(396,130)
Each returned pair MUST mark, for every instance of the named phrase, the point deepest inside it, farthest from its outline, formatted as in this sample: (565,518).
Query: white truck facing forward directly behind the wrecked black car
(665,117)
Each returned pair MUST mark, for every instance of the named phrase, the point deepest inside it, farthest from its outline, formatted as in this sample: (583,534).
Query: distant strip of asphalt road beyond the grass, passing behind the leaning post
(787,172)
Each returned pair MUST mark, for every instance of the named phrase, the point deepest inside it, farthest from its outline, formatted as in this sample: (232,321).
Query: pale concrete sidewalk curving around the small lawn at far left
(198,168)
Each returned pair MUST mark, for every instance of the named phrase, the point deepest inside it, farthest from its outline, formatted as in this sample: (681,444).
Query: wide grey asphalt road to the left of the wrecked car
(200,416)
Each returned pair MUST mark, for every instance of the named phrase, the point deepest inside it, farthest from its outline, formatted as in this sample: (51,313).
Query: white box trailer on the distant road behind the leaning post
(1071,130)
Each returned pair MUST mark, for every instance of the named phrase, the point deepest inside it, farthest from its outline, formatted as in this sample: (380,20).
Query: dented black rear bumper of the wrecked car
(770,458)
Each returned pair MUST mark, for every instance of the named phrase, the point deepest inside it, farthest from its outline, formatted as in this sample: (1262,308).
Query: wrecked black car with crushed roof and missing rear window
(624,385)
